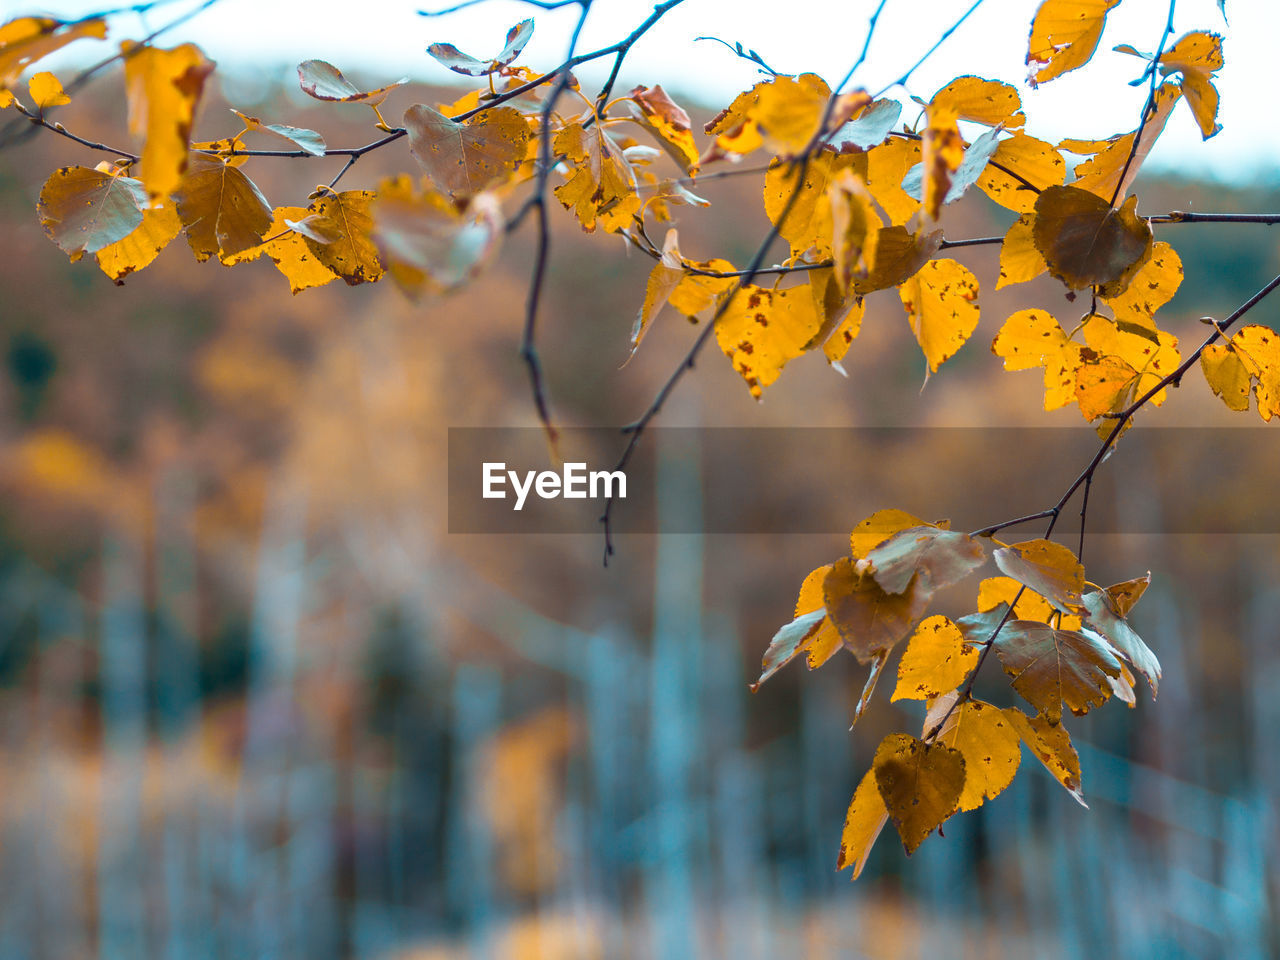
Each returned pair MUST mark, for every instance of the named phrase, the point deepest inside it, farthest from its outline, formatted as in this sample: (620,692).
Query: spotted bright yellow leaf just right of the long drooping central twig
(764,328)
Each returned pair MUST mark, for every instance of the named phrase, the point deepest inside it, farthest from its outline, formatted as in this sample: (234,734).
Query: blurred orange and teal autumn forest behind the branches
(258,702)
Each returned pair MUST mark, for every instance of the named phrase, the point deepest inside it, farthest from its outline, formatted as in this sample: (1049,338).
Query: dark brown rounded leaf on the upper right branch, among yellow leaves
(1085,241)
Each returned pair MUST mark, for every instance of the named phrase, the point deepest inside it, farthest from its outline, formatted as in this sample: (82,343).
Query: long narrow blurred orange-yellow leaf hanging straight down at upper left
(163,89)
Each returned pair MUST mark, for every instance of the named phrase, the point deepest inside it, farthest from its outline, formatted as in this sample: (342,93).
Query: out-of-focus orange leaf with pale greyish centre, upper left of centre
(432,244)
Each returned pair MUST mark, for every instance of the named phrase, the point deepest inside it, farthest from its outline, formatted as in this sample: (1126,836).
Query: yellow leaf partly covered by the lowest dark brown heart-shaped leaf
(989,743)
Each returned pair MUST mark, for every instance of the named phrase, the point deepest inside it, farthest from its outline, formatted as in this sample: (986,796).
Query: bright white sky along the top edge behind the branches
(377,42)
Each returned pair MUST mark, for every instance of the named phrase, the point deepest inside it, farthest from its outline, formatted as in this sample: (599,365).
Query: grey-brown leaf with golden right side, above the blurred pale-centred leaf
(464,159)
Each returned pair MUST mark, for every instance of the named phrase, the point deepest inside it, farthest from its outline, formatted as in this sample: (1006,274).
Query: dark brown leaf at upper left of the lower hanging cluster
(868,619)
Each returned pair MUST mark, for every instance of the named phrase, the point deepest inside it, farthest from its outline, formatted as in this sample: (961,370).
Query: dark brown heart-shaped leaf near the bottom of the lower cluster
(920,783)
